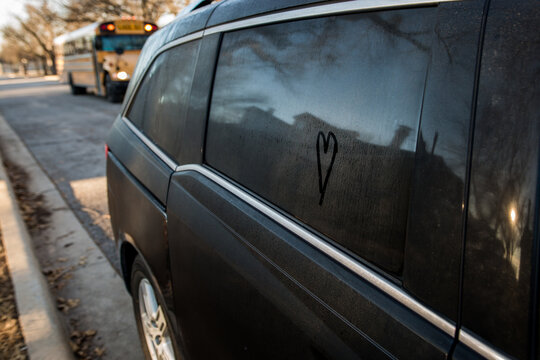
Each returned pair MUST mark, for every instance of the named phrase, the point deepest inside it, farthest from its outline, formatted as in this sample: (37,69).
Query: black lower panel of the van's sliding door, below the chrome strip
(247,285)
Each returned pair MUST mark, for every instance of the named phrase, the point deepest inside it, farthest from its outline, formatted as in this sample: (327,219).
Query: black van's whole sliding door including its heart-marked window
(289,237)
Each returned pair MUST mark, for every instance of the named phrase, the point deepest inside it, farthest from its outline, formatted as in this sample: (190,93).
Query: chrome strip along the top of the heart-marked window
(319,10)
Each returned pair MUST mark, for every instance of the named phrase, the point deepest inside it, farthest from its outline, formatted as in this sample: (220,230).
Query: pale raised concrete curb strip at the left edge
(42,330)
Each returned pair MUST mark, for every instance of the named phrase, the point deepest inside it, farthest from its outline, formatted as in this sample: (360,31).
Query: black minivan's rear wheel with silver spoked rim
(153,323)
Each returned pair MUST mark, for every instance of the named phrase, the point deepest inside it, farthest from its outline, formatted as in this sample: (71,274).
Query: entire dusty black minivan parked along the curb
(303,179)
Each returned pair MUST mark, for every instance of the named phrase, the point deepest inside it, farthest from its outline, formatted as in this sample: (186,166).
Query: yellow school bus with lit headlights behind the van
(100,57)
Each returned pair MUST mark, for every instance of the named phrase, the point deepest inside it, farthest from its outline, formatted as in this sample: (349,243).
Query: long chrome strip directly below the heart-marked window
(347,261)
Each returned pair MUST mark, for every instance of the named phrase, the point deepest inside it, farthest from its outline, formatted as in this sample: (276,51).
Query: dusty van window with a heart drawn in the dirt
(320,117)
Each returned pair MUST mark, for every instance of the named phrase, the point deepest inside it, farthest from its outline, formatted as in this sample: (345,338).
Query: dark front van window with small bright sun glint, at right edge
(499,247)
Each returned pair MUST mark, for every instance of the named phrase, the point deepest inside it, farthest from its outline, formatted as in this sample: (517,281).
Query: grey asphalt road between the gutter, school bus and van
(66,134)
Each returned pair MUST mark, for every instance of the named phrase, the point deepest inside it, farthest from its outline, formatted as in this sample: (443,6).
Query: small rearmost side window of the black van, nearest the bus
(160,106)
